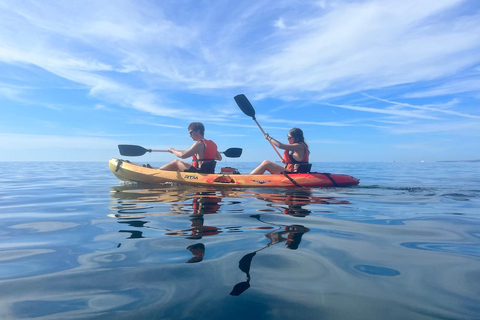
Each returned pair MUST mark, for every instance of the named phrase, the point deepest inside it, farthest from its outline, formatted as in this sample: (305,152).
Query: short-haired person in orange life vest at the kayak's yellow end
(204,153)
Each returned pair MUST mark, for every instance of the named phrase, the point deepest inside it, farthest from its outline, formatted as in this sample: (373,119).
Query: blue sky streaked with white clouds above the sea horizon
(377,80)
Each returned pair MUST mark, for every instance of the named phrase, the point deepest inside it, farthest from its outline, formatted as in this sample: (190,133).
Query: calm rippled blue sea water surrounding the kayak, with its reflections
(77,244)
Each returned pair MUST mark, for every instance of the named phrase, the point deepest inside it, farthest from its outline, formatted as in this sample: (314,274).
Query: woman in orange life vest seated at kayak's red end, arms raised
(295,156)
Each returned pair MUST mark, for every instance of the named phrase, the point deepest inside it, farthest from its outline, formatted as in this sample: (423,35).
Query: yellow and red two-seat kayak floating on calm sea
(133,172)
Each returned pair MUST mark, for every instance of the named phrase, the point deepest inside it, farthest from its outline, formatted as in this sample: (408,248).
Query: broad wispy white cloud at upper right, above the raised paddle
(372,44)
